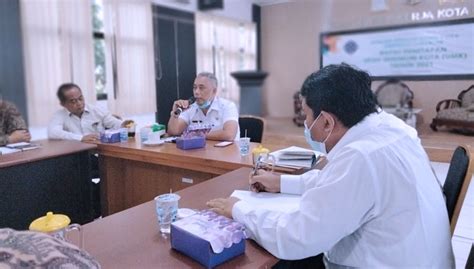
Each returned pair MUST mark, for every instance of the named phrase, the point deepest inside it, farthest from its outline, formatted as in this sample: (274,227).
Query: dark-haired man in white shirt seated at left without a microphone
(78,121)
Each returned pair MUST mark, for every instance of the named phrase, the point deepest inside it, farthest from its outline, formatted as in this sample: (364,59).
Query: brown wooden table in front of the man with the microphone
(132,173)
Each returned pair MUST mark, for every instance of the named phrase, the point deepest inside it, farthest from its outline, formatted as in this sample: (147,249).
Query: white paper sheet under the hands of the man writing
(272,201)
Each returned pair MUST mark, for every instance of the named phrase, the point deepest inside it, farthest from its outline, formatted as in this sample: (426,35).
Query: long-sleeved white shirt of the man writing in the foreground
(376,204)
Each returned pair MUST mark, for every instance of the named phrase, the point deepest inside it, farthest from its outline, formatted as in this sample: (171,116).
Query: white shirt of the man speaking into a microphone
(220,111)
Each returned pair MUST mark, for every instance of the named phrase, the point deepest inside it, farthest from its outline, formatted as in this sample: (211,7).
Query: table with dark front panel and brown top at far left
(54,177)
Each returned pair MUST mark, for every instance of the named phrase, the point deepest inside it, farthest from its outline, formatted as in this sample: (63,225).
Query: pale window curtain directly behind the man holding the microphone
(224,46)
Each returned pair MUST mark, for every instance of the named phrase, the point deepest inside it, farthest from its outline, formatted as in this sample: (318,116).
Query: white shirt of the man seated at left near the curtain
(67,126)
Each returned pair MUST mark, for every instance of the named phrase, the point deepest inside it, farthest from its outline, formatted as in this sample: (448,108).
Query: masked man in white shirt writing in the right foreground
(376,203)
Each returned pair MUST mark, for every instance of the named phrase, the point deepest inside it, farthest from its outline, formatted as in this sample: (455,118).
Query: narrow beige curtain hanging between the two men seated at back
(129,38)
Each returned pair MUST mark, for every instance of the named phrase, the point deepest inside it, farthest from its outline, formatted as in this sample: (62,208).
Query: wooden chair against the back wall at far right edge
(456,114)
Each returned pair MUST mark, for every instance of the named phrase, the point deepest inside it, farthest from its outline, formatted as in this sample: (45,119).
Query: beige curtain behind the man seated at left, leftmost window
(57,45)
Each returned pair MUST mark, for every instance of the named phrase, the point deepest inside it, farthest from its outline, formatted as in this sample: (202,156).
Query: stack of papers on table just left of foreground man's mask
(295,157)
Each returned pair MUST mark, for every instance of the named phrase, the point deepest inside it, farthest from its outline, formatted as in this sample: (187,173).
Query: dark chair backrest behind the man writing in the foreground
(457,182)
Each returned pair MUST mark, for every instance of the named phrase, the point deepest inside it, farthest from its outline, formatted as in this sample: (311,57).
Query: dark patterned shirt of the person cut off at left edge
(10,121)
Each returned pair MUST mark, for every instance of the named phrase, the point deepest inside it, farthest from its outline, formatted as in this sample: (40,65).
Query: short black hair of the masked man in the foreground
(341,90)
